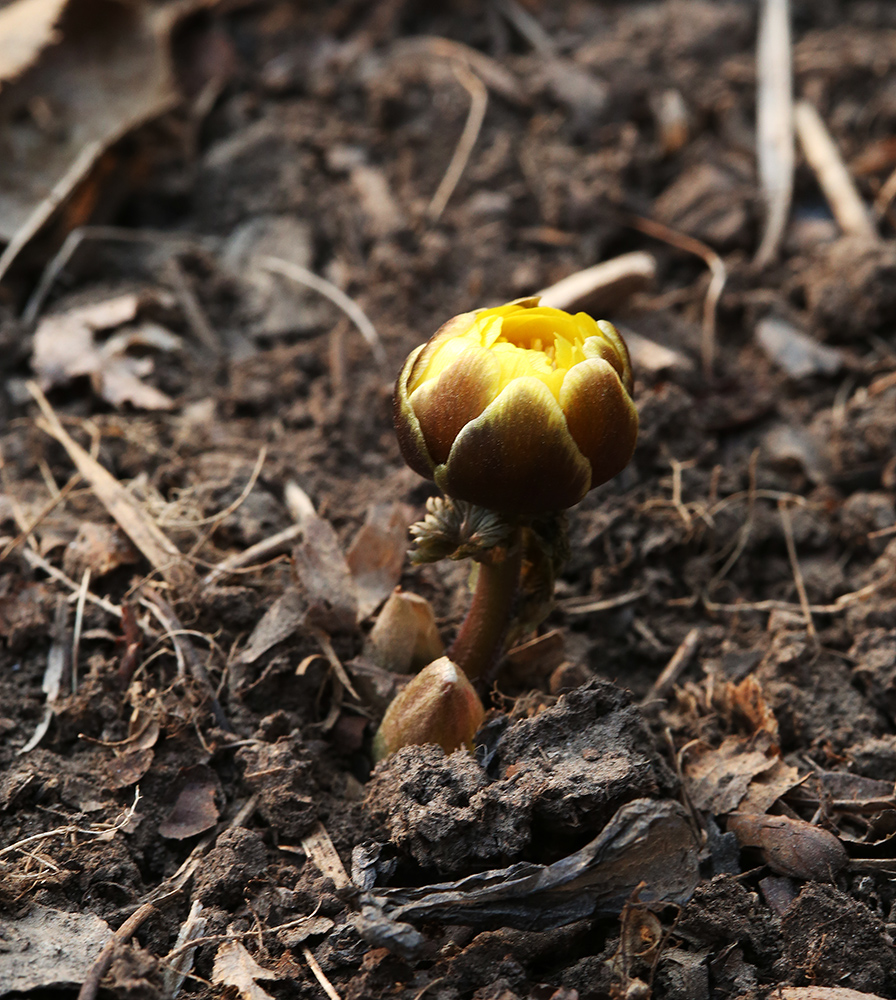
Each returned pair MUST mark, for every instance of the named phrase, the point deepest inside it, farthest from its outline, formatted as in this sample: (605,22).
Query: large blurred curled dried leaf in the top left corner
(108,72)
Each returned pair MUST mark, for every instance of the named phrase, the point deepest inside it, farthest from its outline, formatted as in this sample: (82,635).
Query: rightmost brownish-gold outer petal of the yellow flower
(601,417)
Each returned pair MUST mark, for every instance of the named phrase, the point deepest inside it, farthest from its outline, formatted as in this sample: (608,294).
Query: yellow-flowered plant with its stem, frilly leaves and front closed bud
(515,413)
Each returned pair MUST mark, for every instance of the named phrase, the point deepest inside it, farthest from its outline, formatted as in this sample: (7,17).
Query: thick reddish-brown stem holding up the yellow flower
(480,640)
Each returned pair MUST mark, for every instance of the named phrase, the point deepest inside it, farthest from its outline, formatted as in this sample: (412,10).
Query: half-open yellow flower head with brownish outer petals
(522,408)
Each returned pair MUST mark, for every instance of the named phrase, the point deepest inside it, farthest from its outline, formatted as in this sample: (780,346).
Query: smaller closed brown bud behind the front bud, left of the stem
(404,636)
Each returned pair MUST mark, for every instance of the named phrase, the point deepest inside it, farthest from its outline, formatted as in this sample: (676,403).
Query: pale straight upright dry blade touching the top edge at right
(774,127)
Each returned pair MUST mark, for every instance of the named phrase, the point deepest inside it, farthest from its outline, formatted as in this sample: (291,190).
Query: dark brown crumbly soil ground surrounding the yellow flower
(754,531)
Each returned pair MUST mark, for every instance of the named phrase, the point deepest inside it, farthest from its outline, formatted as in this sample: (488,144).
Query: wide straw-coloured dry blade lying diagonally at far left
(162,554)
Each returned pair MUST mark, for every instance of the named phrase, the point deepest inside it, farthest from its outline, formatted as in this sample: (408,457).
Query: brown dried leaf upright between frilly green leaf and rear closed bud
(377,554)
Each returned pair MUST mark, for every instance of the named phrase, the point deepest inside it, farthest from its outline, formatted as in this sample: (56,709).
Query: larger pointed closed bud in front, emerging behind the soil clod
(438,706)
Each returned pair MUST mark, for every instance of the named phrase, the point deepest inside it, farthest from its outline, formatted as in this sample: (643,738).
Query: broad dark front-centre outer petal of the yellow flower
(518,455)
